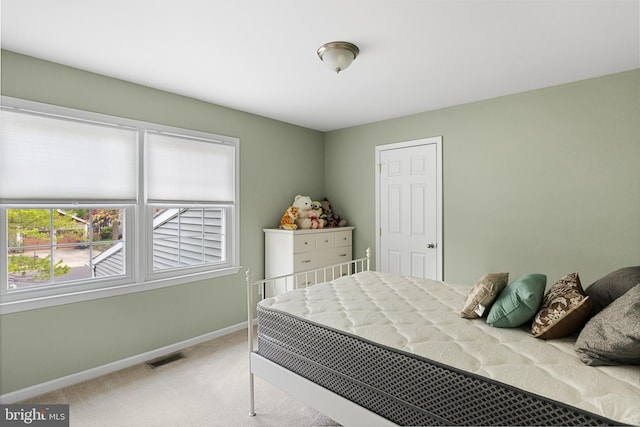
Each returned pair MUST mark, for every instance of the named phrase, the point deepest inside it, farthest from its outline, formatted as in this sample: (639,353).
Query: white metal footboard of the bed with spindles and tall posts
(262,287)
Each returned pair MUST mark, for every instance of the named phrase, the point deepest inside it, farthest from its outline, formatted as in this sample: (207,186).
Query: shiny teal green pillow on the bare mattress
(518,302)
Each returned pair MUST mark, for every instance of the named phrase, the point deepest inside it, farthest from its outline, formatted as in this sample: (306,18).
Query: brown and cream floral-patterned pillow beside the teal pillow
(565,309)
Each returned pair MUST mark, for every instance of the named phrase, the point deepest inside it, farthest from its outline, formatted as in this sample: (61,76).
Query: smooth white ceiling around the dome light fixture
(260,56)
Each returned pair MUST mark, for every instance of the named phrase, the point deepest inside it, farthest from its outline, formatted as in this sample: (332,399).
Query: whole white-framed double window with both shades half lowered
(94,205)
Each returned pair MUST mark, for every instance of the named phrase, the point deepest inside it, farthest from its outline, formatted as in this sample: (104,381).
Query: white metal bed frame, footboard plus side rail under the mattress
(325,401)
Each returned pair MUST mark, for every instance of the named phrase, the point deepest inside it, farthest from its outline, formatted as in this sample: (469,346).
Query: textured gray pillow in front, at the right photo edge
(612,337)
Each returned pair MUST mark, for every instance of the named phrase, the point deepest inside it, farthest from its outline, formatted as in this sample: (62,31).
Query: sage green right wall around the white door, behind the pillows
(544,181)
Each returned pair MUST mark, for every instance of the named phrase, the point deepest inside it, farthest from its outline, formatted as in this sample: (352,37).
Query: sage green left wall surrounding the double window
(44,344)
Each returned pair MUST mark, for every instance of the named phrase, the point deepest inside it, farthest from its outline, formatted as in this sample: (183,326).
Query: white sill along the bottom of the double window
(35,302)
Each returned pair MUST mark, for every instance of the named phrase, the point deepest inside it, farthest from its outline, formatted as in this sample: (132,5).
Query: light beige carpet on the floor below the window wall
(209,387)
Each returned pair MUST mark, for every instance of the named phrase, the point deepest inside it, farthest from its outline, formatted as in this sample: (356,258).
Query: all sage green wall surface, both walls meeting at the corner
(545,181)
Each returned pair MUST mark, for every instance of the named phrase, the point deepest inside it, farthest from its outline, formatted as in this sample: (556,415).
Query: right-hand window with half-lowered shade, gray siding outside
(183,169)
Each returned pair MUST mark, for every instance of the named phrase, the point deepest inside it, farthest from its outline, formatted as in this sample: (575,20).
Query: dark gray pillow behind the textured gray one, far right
(604,291)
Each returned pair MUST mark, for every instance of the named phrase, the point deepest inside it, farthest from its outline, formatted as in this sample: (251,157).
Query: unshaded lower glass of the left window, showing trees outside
(49,247)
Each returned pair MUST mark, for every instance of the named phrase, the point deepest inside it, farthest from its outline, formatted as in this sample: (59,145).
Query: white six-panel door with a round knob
(409,208)
